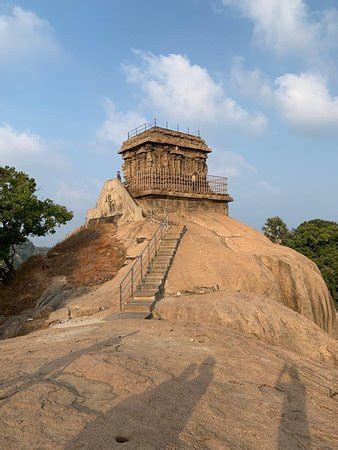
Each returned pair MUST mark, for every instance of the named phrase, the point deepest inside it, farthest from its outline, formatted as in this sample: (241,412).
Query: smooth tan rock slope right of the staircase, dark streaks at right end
(219,251)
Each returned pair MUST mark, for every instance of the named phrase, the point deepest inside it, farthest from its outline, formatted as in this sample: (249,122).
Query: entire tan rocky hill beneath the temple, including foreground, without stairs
(243,355)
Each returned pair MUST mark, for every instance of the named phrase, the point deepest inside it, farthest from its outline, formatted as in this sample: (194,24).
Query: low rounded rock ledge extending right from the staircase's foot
(255,316)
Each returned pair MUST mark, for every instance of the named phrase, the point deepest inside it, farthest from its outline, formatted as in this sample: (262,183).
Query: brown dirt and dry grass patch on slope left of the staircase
(87,258)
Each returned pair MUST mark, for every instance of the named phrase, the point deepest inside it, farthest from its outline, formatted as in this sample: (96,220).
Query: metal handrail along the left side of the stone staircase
(141,264)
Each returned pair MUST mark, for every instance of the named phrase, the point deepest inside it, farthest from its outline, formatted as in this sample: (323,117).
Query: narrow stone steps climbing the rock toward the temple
(151,289)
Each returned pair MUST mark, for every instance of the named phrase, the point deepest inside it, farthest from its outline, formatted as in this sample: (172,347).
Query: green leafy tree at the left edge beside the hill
(22,215)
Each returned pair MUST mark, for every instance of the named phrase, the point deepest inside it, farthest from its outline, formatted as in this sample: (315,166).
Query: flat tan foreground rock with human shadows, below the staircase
(157,384)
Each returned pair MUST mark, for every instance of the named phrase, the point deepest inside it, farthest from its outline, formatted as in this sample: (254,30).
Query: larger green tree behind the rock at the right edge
(318,240)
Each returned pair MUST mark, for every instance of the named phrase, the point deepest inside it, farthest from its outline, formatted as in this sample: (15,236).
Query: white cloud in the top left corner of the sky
(24,35)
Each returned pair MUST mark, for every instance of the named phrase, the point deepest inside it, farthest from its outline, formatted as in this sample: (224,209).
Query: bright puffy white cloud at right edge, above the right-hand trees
(305,102)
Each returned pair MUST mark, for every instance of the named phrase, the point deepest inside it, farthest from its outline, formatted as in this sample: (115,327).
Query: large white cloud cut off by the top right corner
(287,26)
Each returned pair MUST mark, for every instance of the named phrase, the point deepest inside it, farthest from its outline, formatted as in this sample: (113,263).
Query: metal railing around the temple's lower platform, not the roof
(165,180)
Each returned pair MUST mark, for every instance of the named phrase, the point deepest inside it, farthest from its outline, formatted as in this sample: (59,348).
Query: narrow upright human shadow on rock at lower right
(293,430)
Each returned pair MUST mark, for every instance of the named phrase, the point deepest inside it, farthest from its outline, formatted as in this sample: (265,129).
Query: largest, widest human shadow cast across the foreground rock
(153,419)
